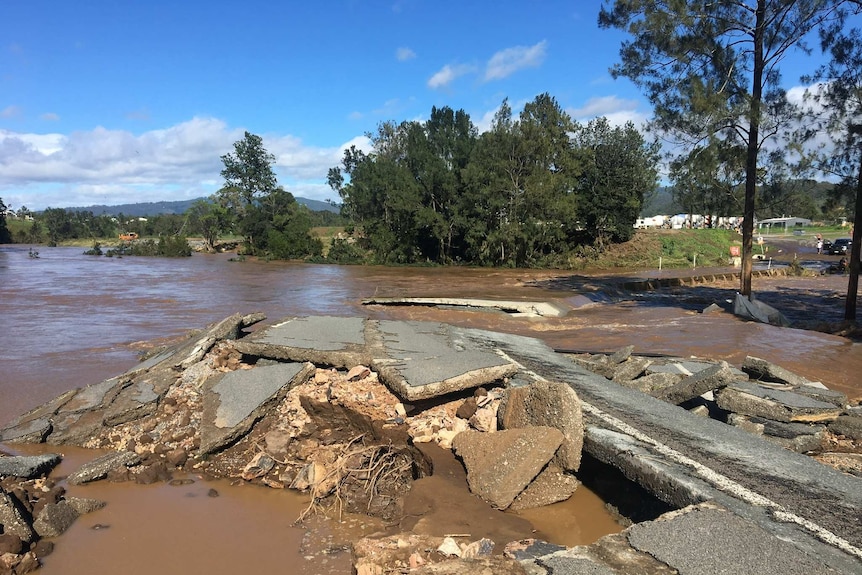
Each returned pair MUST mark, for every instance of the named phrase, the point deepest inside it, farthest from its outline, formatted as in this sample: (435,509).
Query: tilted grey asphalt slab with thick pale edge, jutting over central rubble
(427,359)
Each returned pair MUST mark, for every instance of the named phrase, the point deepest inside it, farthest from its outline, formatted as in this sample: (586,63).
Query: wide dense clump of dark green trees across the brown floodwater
(530,191)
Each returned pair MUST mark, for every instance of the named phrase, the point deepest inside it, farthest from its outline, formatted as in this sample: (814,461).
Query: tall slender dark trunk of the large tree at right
(751,152)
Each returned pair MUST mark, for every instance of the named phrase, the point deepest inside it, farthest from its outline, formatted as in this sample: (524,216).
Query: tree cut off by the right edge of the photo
(837,104)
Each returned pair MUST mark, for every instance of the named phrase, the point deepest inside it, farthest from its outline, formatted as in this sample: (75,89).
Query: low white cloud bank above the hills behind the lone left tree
(115,166)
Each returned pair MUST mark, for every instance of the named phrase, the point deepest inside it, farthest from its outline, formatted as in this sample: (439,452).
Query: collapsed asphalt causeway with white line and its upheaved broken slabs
(723,497)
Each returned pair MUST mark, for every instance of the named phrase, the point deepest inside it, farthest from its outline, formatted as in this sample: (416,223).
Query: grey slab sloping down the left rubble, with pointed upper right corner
(233,403)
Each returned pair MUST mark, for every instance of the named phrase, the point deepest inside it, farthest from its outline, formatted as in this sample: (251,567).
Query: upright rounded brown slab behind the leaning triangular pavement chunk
(547,403)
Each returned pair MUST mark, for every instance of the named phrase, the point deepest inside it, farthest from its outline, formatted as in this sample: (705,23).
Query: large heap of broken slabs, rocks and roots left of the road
(224,404)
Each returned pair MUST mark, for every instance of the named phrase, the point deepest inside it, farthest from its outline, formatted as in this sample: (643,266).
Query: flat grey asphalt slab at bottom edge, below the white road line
(705,539)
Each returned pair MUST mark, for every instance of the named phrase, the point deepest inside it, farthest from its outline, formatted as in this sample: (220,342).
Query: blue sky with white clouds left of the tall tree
(107,102)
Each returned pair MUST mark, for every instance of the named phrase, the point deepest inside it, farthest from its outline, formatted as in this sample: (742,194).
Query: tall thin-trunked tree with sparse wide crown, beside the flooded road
(713,67)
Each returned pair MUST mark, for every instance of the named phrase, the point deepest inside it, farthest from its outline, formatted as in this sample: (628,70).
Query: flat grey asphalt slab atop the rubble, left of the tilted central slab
(323,340)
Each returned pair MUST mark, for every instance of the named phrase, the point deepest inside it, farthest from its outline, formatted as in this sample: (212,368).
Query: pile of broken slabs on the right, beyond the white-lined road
(761,398)
